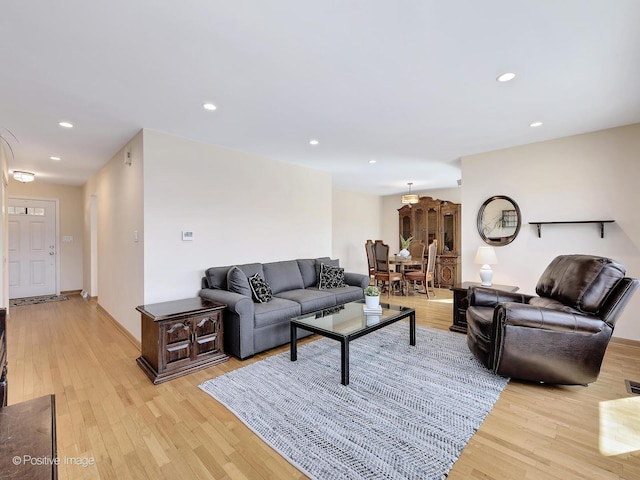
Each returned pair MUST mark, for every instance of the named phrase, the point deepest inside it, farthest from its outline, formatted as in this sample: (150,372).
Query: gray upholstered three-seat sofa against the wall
(251,326)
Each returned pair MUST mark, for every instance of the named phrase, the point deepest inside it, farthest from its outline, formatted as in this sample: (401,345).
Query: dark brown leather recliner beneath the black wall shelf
(560,335)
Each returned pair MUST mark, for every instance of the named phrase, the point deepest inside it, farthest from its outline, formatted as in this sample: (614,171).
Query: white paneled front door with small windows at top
(32,248)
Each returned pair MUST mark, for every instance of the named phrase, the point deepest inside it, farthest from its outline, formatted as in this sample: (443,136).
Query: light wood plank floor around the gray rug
(107,410)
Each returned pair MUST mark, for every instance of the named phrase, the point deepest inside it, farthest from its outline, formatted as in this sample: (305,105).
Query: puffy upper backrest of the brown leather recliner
(582,282)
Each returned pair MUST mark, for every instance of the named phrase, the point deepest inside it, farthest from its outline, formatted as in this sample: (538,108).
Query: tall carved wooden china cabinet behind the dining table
(432,219)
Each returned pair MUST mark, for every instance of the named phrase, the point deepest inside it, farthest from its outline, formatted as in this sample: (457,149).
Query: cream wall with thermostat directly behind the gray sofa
(241,208)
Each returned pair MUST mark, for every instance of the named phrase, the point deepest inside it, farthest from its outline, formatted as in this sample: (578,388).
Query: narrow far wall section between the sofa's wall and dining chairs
(357,217)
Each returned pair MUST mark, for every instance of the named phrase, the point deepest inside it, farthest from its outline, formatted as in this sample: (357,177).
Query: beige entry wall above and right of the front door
(70,225)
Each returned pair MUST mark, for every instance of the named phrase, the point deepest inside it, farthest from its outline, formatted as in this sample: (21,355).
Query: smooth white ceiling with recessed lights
(409,83)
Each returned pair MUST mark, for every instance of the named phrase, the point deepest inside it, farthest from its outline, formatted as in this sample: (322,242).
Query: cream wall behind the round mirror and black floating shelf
(592,176)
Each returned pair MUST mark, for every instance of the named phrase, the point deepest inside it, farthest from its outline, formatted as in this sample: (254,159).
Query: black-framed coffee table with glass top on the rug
(348,322)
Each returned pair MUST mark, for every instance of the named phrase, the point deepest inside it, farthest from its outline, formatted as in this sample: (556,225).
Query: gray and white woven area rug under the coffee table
(407,412)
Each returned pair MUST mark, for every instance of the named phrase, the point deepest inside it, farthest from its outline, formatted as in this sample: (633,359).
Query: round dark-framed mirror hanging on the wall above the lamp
(499,220)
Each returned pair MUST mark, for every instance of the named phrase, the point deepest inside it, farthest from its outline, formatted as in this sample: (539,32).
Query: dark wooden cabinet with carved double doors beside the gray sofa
(181,337)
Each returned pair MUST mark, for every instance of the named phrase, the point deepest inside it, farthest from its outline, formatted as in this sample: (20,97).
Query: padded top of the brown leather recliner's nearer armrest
(524,315)
